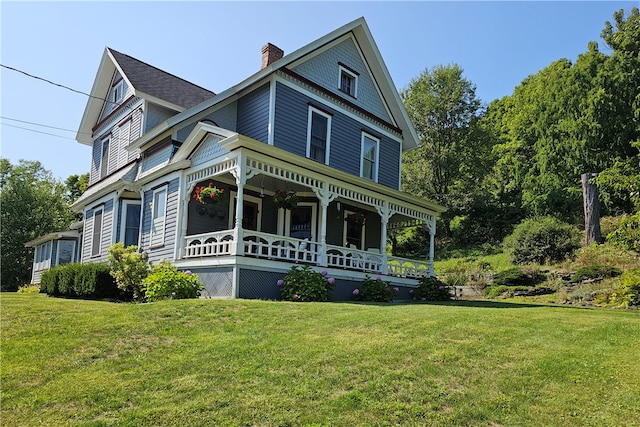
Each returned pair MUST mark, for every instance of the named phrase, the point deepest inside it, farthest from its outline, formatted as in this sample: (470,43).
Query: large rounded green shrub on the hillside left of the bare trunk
(542,240)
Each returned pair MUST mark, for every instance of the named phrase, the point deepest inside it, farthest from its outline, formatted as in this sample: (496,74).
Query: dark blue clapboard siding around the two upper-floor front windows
(290,133)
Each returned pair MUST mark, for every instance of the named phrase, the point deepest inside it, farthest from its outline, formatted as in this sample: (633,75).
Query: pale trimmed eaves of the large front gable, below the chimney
(364,38)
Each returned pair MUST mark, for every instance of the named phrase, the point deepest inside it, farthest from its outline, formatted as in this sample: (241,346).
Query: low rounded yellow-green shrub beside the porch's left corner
(166,282)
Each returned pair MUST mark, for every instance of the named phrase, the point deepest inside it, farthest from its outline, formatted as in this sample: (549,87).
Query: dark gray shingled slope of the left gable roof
(160,84)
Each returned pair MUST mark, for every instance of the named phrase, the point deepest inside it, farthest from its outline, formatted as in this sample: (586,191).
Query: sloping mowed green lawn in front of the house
(240,362)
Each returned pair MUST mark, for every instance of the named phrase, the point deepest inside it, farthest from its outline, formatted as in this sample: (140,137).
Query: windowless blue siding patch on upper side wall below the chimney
(253,114)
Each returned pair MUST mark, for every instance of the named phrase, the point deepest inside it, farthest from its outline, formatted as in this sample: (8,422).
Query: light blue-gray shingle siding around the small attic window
(324,70)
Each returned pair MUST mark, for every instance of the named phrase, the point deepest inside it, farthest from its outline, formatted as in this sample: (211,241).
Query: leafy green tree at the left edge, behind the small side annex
(32,204)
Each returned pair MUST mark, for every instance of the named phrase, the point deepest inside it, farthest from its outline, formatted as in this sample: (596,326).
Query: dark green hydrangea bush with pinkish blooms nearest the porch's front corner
(304,284)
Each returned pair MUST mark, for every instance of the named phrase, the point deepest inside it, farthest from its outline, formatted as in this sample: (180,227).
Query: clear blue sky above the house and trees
(217,44)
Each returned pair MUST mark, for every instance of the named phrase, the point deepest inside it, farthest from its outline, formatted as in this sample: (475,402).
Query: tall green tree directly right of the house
(443,108)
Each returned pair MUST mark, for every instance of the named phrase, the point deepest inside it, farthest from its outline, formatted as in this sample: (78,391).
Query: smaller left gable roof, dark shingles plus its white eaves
(147,81)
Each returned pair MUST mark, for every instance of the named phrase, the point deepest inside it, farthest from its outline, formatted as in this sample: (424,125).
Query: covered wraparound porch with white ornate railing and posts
(338,221)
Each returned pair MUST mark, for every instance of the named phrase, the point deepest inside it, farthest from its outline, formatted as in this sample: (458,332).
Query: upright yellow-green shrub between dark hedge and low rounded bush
(129,267)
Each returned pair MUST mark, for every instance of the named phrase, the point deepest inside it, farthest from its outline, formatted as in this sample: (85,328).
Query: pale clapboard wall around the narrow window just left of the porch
(157,254)
